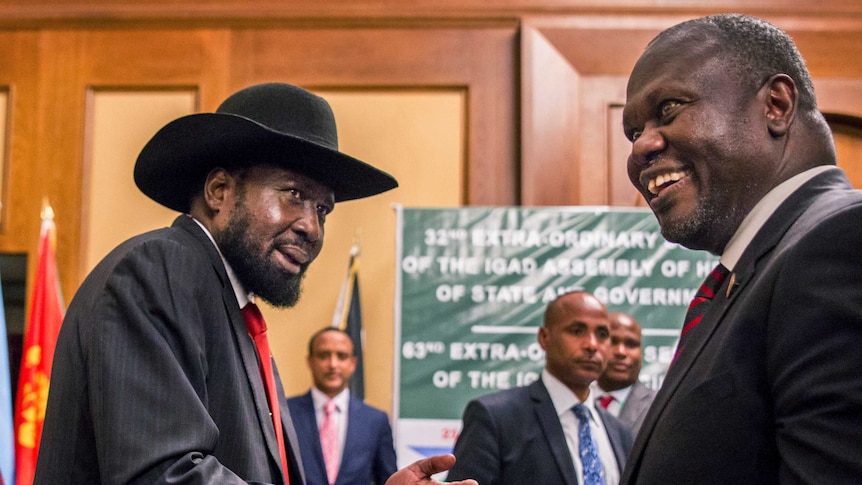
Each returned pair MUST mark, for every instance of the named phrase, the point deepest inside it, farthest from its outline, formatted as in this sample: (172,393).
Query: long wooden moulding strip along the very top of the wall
(18,13)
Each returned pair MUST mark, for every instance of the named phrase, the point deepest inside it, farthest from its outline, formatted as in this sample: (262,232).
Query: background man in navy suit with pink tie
(364,453)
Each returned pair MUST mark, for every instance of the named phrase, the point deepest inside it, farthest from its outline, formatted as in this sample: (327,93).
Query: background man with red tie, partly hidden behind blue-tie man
(618,389)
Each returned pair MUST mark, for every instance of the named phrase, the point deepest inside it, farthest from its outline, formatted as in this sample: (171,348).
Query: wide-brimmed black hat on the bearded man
(273,123)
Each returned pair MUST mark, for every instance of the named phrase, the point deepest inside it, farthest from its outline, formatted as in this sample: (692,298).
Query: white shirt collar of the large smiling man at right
(761,212)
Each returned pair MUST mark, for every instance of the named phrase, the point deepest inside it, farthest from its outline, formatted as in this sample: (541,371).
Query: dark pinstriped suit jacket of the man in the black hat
(155,378)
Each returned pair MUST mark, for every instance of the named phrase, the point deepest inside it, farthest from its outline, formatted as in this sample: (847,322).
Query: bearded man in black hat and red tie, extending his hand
(156,376)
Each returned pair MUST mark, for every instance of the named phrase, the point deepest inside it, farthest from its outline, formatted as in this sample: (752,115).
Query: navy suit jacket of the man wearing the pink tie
(369,455)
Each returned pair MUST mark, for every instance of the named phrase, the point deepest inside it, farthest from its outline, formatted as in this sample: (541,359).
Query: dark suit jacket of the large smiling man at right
(769,386)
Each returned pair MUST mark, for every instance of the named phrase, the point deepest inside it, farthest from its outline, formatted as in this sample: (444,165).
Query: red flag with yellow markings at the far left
(40,339)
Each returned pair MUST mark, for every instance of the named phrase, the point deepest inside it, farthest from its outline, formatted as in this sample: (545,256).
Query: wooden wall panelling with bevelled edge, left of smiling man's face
(568,129)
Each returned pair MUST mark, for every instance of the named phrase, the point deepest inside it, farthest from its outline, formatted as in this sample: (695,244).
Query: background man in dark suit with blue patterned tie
(530,435)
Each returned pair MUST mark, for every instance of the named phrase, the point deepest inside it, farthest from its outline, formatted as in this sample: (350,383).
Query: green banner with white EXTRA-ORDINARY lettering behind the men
(473,284)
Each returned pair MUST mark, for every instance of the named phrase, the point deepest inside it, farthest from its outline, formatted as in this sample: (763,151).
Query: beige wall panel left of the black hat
(122,122)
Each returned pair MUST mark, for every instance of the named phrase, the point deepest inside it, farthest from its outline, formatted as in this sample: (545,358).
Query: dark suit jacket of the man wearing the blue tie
(515,437)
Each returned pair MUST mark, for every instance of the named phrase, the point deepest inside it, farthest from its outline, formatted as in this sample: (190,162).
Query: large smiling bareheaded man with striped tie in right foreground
(733,156)
